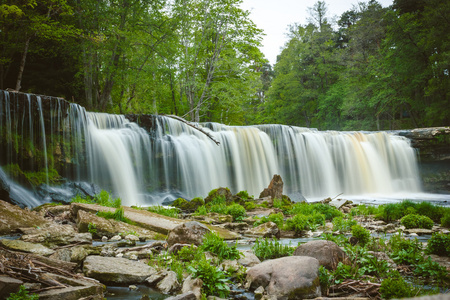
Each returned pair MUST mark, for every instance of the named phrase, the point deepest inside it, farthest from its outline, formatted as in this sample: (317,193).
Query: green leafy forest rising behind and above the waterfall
(372,68)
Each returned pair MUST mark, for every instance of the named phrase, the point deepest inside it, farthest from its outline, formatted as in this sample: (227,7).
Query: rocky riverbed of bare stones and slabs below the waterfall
(68,251)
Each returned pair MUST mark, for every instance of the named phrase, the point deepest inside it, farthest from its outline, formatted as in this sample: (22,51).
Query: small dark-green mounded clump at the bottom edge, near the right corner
(396,287)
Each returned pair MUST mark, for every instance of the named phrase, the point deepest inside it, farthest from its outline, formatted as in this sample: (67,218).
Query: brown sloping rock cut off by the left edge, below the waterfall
(13,217)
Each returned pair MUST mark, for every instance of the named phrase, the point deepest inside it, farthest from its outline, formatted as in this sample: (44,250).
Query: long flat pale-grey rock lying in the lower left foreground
(115,270)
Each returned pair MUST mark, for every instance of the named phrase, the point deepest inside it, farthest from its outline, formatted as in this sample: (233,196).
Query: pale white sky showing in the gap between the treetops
(274,16)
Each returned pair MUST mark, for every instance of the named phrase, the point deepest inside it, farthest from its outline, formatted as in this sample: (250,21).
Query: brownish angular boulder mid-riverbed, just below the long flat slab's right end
(187,233)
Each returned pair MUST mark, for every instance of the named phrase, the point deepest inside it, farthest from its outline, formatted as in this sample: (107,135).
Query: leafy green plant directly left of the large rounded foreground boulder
(214,280)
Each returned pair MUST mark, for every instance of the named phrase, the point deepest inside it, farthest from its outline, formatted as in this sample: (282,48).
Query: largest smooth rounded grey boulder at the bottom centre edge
(293,277)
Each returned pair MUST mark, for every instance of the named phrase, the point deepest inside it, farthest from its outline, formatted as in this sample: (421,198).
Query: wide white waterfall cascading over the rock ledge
(51,138)
